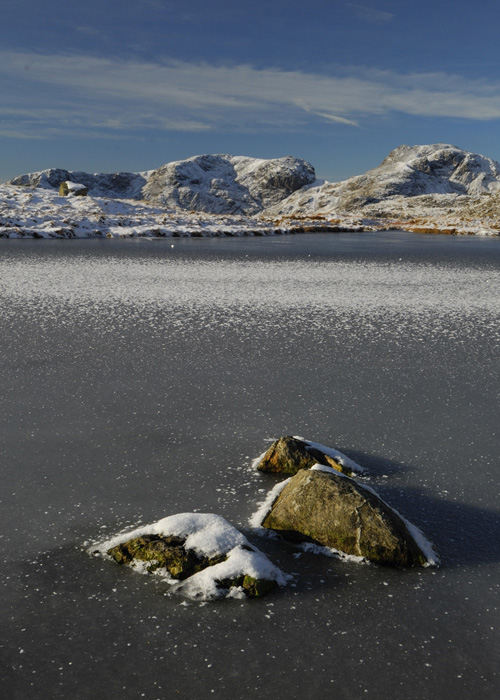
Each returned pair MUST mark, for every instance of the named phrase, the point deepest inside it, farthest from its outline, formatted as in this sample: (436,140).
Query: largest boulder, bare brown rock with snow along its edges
(322,506)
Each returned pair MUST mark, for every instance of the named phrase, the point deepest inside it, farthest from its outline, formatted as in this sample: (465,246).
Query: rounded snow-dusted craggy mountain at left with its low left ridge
(220,184)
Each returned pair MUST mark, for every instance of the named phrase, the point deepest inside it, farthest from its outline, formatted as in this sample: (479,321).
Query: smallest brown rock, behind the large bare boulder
(288,455)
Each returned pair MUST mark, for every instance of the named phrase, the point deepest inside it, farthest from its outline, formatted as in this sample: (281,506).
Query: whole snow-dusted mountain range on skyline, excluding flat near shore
(412,182)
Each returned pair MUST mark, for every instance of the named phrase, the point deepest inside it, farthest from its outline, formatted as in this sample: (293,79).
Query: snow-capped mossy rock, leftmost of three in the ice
(221,560)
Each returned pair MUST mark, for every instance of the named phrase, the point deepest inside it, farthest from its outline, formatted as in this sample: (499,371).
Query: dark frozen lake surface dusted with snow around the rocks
(139,379)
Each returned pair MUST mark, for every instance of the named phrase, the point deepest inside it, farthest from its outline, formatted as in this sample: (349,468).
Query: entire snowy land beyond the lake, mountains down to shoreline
(426,189)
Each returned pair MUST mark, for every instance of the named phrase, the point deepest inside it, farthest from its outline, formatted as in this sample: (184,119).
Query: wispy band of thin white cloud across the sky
(45,94)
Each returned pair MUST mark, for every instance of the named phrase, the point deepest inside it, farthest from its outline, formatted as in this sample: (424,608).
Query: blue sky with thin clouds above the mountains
(132,84)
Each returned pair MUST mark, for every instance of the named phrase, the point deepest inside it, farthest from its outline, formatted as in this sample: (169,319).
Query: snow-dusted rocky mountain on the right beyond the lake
(408,171)
